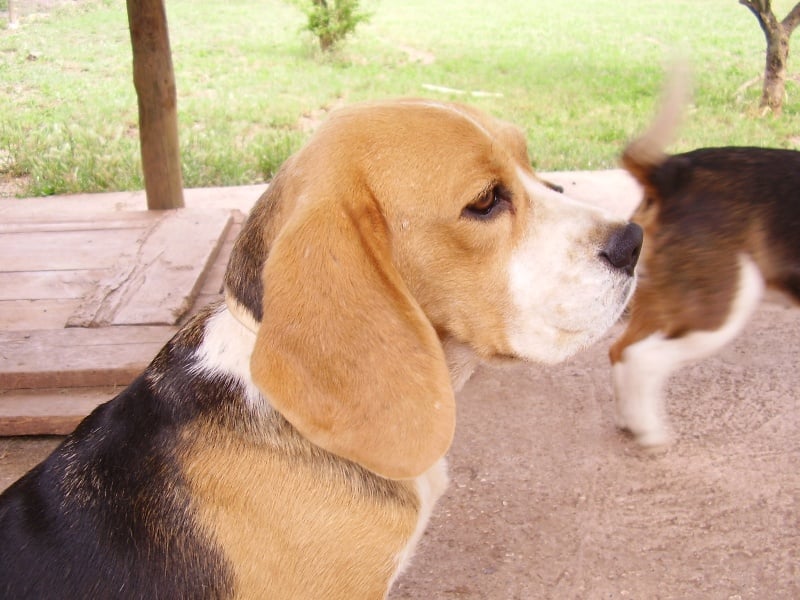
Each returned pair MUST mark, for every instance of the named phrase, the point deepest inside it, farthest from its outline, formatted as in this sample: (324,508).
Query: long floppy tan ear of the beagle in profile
(344,351)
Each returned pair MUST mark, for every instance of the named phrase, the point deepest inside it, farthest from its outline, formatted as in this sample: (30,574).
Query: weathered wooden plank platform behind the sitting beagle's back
(87,300)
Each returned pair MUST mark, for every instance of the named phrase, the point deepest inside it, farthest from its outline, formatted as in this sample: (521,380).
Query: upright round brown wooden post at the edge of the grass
(154,80)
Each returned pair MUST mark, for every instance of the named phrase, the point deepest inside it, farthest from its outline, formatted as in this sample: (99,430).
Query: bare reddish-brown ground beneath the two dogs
(548,500)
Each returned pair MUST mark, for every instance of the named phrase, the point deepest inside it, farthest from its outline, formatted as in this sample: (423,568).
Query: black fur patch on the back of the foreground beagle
(107,514)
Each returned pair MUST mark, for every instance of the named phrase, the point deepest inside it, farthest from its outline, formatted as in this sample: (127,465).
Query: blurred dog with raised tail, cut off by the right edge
(720,224)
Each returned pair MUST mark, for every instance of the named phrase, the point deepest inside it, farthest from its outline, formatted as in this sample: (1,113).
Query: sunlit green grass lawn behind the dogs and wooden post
(580,78)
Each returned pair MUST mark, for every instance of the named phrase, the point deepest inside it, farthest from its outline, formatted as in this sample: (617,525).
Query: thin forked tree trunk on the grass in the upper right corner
(777,34)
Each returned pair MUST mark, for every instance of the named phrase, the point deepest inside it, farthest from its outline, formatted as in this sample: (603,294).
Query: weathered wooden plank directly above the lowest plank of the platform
(78,357)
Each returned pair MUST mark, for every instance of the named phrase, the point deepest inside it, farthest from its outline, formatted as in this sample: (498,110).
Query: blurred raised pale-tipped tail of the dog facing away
(647,151)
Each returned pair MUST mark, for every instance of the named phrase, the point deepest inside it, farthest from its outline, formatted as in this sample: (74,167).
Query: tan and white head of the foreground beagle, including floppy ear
(399,225)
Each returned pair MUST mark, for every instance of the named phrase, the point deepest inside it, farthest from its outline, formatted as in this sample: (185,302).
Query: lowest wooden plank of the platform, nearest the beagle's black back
(49,411)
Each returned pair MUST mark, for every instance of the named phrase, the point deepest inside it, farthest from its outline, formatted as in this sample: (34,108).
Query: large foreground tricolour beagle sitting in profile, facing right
(289,441)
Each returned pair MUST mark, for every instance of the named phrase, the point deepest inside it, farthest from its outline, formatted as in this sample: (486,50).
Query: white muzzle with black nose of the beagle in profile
(571,276)
